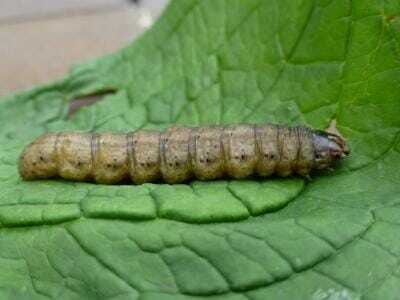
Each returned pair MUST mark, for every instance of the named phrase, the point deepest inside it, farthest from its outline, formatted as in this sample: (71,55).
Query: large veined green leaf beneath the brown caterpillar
(203,62)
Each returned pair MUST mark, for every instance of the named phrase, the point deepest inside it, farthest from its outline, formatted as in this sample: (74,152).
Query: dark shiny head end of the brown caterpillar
(328,148)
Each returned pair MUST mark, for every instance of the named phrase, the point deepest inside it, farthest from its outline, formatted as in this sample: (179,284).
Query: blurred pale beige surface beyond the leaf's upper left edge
(41,39)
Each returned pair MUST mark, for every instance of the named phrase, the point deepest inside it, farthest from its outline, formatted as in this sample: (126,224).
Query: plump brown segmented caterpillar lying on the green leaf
(181,153)
